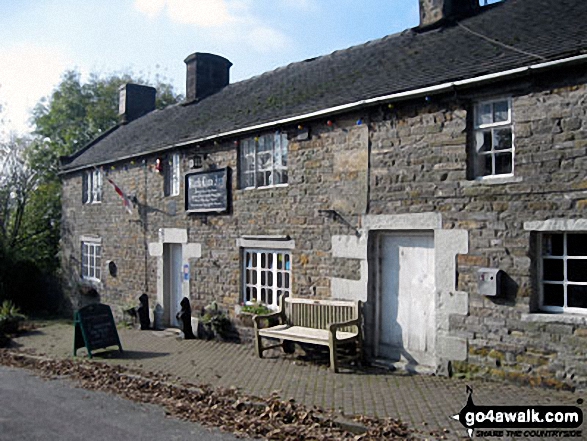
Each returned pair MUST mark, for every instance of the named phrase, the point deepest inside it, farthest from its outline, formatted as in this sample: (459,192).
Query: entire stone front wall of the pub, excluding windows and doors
(404,158)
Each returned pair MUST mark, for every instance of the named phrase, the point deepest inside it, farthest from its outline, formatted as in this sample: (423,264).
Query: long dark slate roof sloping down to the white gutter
(540,30)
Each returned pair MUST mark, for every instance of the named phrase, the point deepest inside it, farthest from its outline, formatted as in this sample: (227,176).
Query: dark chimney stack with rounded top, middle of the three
(206,75)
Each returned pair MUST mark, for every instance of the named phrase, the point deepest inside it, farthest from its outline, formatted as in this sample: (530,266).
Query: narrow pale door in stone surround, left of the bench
(172,283)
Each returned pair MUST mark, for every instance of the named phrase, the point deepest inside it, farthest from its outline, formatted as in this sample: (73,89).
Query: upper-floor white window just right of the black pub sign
(263,161)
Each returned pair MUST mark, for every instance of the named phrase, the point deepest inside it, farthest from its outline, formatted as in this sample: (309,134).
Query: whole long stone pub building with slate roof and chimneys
(438,175)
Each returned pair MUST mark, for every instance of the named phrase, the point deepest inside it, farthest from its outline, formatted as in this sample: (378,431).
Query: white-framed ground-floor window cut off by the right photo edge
(563,271)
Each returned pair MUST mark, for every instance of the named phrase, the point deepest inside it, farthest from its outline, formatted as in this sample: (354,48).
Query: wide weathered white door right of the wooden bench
(406,306)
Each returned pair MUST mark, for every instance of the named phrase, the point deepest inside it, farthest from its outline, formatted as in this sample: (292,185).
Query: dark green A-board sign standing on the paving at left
(95,329)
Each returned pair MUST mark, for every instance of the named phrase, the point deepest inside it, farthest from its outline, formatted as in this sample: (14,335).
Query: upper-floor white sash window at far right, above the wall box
(494,139)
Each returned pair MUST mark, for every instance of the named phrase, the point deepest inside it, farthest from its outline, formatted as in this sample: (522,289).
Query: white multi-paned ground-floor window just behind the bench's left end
(267,275)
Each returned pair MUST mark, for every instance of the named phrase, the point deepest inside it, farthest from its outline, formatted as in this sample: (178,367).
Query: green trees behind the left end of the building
(30,188)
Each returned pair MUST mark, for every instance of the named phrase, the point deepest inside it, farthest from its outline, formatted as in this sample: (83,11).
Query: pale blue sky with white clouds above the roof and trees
(41,39)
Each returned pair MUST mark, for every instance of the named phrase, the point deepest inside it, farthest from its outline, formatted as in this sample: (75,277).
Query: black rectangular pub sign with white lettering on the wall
(207,191)
